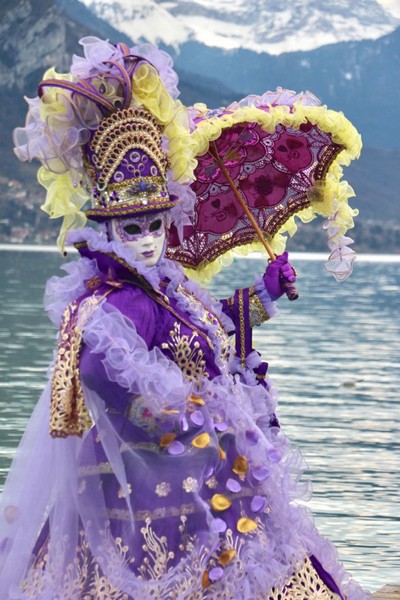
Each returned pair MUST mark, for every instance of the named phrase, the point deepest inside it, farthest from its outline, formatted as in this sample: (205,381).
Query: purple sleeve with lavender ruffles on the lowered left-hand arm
(117,360)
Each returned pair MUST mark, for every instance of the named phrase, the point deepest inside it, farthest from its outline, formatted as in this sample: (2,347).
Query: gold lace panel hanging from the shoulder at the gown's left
(68,413)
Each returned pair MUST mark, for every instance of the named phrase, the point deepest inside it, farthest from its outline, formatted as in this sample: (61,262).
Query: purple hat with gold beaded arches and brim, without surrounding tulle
(127,166)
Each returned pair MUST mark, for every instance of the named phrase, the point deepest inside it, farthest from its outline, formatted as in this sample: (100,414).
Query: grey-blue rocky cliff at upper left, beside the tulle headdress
(34,34)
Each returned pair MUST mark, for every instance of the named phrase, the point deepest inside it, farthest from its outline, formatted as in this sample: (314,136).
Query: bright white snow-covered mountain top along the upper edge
(270,26)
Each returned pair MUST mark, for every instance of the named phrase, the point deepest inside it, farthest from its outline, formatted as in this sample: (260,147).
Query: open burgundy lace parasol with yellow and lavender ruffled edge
(262,163)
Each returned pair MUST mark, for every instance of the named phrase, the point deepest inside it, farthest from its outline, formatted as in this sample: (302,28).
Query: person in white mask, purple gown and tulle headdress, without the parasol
(165,473)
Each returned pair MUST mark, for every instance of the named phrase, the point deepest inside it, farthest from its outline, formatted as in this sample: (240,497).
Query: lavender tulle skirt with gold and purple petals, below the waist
(139,508)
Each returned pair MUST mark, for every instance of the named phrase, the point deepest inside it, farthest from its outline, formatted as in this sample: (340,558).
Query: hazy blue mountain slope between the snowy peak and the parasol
(362,79)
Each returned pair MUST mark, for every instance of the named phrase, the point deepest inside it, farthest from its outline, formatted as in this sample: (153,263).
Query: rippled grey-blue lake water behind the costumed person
(334,356)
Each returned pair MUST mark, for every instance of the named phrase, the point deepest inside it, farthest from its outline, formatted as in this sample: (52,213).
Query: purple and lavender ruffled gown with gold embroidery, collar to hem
(183,485)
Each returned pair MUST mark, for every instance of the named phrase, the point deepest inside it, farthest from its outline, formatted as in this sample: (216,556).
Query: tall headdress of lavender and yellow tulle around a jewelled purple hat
(113,132)
